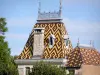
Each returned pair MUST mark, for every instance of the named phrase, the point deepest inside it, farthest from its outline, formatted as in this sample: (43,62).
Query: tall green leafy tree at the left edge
(7,66)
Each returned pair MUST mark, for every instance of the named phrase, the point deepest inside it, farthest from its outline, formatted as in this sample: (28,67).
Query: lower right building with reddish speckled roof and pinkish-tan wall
(85,60)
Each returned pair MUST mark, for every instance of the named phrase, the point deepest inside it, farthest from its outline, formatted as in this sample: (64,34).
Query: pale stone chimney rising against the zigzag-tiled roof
(38,45)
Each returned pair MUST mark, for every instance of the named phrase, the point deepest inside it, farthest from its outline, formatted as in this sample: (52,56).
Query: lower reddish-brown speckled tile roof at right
(83,55)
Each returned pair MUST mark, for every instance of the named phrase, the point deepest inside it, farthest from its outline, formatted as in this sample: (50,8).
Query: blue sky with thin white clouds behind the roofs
(81,18)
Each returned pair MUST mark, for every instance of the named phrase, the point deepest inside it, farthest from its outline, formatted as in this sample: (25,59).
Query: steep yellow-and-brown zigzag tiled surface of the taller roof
(59,49)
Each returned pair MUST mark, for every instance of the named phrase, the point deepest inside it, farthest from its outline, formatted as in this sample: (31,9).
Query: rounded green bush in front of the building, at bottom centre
(42,68)
